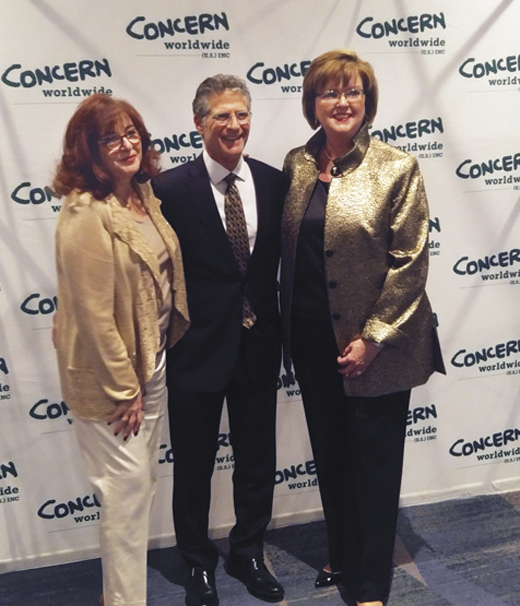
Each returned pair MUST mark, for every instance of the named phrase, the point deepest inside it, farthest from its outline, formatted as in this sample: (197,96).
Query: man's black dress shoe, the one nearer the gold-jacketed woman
(255,576)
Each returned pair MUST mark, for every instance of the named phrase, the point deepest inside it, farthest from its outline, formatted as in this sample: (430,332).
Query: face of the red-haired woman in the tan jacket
(121,150)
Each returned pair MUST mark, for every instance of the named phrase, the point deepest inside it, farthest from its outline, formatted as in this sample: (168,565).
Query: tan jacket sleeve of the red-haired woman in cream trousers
(86,275)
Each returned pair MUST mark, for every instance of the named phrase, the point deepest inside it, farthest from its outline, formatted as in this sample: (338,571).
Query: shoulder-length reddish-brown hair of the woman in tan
(80,166)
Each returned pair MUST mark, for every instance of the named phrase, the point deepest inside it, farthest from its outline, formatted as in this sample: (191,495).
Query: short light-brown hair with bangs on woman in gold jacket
(339,66)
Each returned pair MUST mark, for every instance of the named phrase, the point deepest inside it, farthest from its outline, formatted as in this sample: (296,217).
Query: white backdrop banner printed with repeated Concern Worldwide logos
(449,76)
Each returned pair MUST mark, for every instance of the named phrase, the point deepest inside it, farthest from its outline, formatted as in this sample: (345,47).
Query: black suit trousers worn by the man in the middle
(194,429)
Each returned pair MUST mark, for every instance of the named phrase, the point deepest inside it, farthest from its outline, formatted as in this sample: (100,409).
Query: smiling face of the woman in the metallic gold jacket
(341,116)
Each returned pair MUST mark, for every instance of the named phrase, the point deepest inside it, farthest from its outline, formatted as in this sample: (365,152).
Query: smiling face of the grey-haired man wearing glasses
(226,128)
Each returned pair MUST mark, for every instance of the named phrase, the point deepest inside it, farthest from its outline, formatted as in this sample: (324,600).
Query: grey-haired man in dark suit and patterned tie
(229,231)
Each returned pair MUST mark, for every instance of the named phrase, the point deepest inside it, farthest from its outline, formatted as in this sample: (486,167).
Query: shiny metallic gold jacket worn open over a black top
(375,256)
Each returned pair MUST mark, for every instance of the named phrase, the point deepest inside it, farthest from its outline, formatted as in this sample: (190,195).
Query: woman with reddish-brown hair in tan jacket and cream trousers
(122,301)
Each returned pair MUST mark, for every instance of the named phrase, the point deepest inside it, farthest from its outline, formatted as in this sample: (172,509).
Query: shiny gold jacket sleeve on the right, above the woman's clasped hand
(404,286)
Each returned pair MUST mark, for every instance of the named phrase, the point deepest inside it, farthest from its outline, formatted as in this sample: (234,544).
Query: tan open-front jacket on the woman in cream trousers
(107,331)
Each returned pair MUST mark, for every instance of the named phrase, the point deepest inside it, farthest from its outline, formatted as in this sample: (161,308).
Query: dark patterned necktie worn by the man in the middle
(236,228)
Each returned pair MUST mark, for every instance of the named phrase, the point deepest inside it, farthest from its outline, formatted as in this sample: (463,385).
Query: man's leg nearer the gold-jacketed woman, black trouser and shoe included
(251,401)
